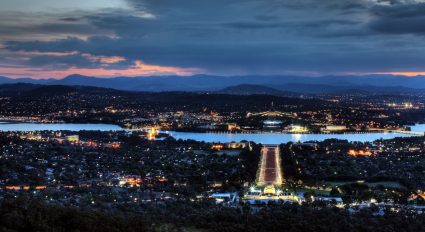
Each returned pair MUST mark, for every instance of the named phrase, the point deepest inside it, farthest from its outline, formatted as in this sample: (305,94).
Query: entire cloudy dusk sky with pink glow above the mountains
(55,38)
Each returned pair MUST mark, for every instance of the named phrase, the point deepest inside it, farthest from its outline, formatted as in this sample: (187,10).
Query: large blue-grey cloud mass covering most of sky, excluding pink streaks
(241,36)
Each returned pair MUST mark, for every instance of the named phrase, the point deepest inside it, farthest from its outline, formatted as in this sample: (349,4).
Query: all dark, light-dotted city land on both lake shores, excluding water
(140,178)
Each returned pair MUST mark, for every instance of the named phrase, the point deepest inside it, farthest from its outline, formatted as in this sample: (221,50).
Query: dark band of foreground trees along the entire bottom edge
(32,215)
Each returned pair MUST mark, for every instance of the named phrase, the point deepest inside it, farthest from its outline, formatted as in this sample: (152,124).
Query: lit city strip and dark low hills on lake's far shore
(206,112)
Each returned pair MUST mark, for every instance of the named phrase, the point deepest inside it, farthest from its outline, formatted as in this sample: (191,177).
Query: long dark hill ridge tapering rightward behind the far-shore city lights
(21,94)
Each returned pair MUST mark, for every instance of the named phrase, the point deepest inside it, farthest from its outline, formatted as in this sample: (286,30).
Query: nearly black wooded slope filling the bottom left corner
(25,215)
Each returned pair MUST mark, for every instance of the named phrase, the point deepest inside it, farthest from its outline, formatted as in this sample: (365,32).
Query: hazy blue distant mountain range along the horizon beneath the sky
(242,85)
